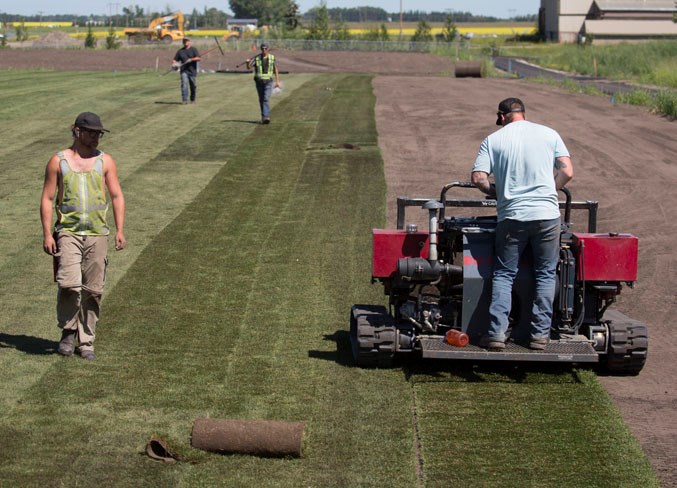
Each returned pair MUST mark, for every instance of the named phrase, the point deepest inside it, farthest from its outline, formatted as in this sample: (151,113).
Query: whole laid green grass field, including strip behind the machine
(247,244)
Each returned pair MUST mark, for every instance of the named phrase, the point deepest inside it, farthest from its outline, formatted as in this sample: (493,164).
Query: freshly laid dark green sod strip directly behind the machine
(517,426)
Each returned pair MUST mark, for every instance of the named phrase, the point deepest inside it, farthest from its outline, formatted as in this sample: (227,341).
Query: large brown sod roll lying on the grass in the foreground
(266,438)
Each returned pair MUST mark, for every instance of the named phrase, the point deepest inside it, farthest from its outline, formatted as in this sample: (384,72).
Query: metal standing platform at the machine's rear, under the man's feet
(556,351)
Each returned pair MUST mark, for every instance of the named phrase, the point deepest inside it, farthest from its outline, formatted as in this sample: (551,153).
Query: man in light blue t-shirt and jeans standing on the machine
(530,163)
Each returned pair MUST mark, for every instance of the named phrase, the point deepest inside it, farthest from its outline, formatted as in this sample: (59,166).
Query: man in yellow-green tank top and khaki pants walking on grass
(78,178)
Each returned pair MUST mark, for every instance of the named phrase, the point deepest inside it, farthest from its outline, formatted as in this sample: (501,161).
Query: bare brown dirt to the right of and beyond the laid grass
(430,127)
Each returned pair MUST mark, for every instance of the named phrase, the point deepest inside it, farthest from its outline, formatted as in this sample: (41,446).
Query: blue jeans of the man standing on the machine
(512,238)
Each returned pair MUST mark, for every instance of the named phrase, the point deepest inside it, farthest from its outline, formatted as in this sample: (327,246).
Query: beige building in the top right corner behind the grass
(606,20)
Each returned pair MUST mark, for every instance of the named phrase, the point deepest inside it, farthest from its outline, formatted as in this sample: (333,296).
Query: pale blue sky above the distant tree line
(497,8)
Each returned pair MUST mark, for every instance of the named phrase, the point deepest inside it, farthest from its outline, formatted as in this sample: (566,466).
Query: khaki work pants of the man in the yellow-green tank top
(81,275)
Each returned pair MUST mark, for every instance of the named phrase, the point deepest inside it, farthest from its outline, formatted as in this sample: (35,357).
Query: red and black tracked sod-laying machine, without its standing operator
(440,281)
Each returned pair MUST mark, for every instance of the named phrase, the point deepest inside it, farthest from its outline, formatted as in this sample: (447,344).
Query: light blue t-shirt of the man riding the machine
(521,156)
